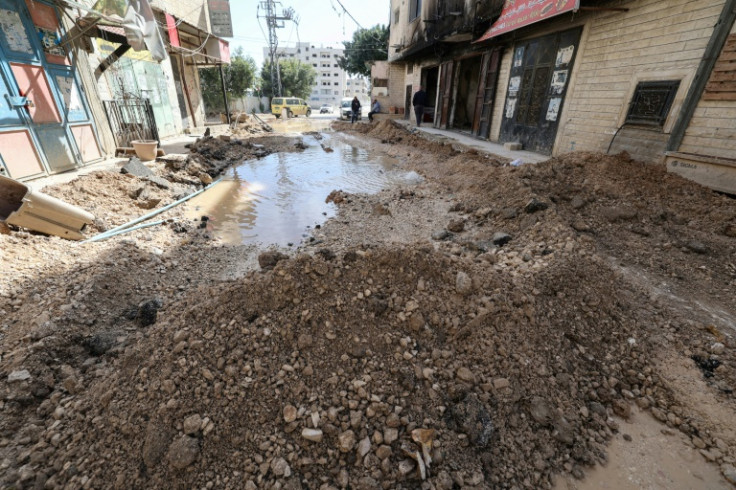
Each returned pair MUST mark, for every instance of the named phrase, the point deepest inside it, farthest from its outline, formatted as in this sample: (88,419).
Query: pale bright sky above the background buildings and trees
(321,23)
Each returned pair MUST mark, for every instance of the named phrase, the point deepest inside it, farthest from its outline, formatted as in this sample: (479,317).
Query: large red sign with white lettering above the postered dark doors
(520,13)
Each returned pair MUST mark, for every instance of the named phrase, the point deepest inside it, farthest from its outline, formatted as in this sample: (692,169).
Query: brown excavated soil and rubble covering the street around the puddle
(519,313)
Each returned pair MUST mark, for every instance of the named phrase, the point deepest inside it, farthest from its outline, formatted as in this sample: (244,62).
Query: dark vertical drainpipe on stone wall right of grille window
(712,51)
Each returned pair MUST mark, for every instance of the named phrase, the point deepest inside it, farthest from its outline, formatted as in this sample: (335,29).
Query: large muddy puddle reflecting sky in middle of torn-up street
(275,200)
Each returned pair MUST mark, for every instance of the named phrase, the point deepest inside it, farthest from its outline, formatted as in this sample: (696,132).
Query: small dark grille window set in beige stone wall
(652,102)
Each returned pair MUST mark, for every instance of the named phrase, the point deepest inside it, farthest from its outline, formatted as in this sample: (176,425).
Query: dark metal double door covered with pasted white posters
(540,73)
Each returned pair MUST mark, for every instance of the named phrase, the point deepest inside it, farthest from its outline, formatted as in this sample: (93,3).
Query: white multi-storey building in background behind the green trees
(330,85)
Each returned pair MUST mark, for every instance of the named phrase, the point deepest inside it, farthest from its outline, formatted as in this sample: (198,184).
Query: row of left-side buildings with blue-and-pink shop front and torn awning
(72,90)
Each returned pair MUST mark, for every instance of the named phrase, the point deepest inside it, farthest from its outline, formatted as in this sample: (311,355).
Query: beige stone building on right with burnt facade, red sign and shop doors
(653,78)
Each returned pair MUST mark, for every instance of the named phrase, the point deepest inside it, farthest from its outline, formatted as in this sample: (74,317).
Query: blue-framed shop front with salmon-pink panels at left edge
(45,122)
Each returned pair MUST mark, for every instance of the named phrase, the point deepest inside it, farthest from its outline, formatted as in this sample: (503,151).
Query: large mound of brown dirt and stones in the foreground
(516,377)
